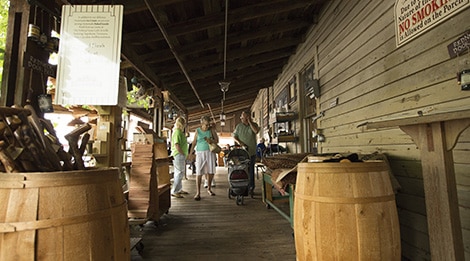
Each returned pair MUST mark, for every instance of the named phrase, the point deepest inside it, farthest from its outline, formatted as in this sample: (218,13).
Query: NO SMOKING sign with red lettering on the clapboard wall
(414,17)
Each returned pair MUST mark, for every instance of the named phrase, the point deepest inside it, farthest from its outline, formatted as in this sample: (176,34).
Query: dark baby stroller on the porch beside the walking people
(238,161)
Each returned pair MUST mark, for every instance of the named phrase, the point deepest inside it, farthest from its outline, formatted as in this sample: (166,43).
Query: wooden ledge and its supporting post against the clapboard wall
(436,136)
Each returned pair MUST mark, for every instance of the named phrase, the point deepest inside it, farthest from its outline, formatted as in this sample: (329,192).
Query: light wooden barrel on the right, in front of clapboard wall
(345,211)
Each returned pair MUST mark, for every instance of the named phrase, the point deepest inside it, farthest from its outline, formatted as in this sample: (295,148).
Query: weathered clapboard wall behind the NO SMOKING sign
(353,48)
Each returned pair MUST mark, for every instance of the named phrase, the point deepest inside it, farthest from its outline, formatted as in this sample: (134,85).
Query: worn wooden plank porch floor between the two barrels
(215,228)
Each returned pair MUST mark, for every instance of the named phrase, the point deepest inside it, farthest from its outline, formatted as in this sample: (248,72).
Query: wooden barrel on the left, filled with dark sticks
(73,215)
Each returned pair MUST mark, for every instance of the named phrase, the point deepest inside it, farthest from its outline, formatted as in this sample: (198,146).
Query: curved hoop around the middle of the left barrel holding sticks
(58,222)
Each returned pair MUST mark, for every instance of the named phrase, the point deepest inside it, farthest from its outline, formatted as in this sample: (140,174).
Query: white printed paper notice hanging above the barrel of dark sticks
(89,55)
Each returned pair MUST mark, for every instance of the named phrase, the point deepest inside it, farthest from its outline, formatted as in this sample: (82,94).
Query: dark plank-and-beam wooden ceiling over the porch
(179,46)
